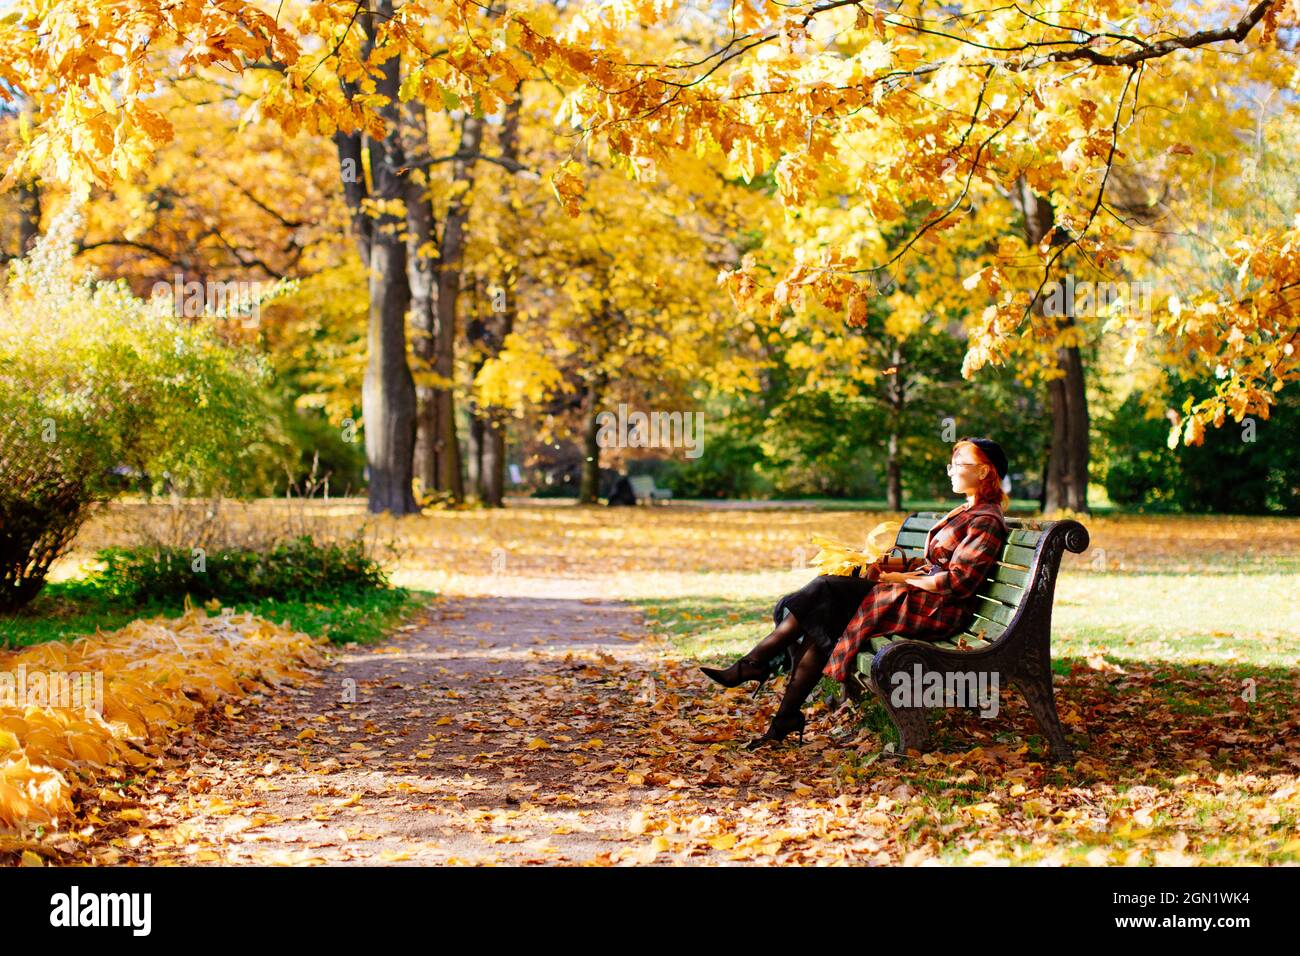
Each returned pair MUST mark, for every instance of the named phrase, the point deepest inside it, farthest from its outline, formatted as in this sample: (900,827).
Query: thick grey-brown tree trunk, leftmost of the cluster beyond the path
(388,392)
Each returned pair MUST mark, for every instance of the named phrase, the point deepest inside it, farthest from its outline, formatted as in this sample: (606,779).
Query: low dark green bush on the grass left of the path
(300,569)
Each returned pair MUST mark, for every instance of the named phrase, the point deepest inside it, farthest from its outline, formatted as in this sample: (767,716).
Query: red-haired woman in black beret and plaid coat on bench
(838,616)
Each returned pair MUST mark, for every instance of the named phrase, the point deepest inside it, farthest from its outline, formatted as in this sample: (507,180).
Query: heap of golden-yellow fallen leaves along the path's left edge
(158,676)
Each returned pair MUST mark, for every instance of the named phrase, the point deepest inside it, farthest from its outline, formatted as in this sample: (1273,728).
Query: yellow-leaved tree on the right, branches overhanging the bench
(959,109)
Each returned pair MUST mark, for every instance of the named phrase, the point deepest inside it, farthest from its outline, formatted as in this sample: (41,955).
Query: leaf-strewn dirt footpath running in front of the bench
(496,730)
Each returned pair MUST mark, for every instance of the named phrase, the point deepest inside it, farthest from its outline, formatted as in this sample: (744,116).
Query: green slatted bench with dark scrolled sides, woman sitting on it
(1008,634)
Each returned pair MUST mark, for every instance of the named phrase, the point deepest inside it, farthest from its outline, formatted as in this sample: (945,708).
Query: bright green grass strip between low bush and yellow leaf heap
(68,611)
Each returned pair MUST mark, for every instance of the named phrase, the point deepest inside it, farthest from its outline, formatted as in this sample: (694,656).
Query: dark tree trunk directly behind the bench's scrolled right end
(1067,475)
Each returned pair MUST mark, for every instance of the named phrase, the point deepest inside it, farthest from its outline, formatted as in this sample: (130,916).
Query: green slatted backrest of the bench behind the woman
(1024,568)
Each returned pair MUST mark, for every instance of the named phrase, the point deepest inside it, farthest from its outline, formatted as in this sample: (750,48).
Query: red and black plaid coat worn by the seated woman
(963,551)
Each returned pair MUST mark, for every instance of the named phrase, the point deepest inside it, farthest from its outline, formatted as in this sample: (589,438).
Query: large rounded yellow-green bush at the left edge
(97,383)
